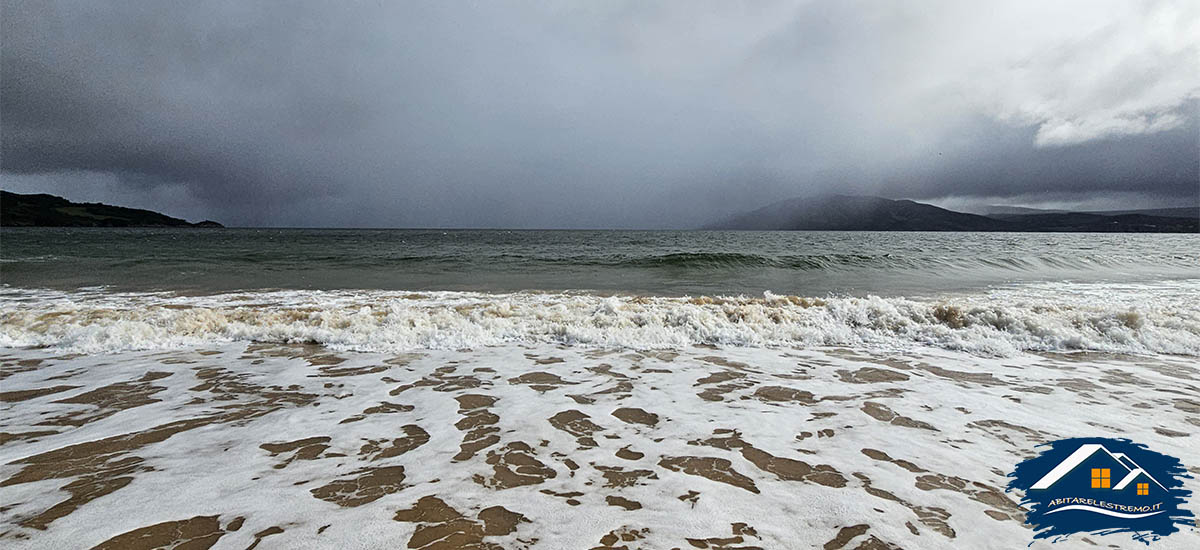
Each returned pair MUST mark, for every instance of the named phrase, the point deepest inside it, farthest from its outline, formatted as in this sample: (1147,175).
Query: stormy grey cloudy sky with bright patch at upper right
(623,115)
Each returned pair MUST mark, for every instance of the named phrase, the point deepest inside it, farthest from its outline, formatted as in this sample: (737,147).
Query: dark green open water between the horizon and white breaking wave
(623,262)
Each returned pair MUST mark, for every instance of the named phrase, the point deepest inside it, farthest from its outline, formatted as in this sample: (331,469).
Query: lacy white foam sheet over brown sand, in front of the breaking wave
(539,446)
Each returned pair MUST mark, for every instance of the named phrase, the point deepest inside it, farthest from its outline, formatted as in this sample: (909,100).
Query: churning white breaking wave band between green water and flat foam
(1161,318)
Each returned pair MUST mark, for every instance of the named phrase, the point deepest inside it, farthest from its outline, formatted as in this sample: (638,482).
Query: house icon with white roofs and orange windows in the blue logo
(1096,469)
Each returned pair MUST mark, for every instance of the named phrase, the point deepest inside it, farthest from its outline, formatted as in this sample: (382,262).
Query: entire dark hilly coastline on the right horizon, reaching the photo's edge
(855,213)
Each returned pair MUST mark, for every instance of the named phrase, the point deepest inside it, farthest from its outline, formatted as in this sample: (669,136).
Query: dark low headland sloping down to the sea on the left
(47,211)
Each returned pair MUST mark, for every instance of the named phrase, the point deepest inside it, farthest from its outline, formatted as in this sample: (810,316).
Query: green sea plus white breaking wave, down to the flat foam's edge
(997,295)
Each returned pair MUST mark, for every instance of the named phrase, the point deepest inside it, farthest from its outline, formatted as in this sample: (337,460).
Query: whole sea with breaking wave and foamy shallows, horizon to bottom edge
(577,388)
